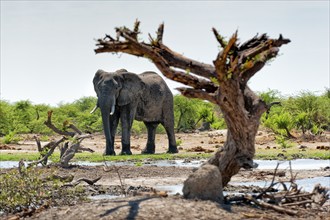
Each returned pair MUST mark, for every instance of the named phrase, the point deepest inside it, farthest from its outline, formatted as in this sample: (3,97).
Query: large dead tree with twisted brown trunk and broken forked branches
(223,83)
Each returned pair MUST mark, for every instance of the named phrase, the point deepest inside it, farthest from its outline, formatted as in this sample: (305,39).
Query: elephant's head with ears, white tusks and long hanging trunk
(115,89)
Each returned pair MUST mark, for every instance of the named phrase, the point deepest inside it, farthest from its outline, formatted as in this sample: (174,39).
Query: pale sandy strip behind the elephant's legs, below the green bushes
(208,141)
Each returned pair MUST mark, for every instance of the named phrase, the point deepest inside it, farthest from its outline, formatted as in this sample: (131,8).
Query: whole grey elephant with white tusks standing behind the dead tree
(127,96)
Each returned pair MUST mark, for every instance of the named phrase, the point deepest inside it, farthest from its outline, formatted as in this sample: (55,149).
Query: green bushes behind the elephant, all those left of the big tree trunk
(24,117)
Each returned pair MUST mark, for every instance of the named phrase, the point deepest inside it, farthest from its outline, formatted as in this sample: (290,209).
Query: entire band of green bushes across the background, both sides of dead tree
(305,112)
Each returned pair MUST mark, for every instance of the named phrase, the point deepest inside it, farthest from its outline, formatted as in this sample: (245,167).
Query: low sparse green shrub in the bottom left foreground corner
(28,188)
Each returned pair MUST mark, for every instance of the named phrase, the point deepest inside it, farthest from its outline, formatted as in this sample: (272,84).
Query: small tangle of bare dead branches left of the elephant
(71,146)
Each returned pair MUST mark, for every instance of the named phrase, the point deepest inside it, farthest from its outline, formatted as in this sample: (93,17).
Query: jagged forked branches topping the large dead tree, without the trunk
(236,62)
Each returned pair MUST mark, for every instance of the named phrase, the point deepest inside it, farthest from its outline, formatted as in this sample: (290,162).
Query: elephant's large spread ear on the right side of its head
(132,88)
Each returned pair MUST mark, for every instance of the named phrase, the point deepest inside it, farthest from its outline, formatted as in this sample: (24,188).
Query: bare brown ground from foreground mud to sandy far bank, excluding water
(139,182)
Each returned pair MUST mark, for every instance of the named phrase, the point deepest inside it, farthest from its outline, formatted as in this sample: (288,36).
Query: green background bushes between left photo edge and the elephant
(24,117)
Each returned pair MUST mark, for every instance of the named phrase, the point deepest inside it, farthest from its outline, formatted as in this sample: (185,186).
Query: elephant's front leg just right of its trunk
(126,119)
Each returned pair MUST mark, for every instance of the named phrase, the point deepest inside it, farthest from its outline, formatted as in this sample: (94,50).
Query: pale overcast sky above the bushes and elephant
(47,47)
